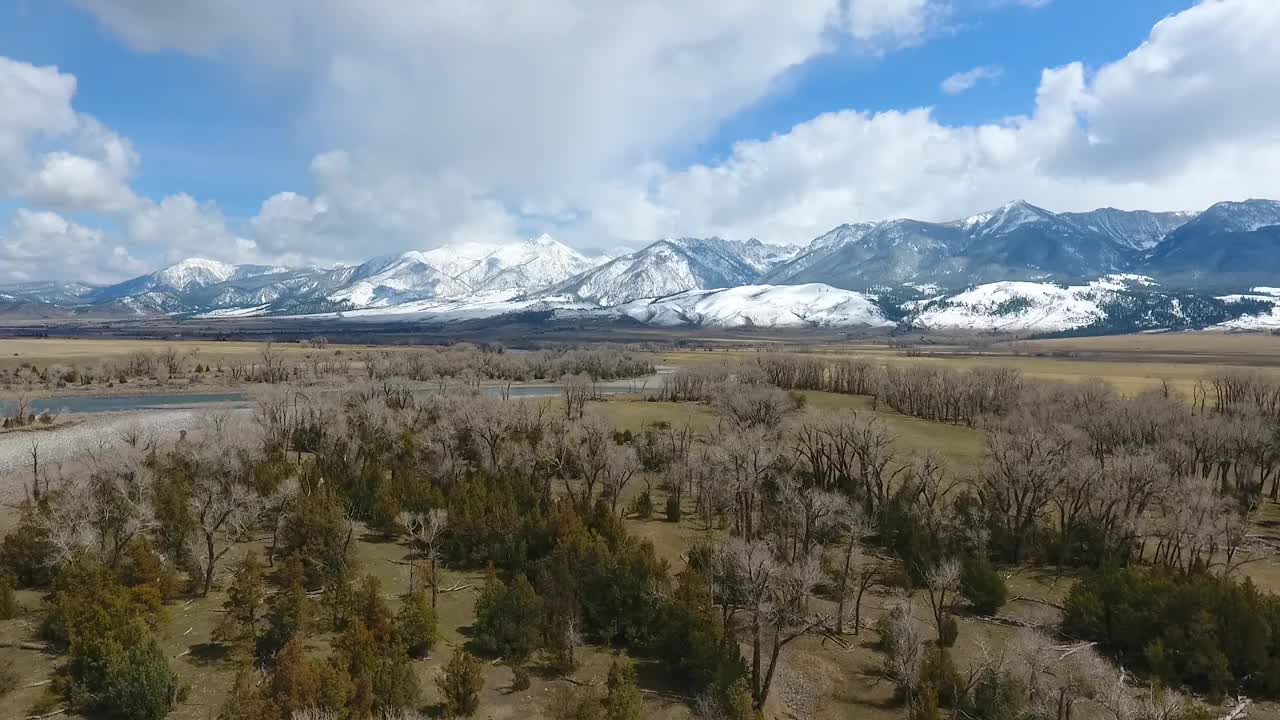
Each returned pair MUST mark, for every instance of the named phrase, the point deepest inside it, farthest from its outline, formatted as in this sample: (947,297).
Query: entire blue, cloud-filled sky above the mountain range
(139,133)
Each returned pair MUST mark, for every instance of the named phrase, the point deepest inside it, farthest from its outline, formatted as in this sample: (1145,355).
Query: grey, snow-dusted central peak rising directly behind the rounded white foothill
(670,267)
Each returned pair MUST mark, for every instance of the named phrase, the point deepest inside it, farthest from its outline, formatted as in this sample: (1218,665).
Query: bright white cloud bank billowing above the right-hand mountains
(1182,122)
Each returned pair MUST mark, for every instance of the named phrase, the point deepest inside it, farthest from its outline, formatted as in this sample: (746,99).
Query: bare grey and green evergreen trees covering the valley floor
(794,518)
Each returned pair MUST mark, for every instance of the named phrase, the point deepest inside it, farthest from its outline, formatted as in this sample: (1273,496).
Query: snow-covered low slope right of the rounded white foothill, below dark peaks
(1022,307)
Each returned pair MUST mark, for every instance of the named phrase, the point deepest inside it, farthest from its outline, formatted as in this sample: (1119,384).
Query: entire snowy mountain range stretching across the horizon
(1017,268)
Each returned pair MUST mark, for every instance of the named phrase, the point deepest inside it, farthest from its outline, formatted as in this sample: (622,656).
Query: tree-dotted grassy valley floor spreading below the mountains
(634,520)
